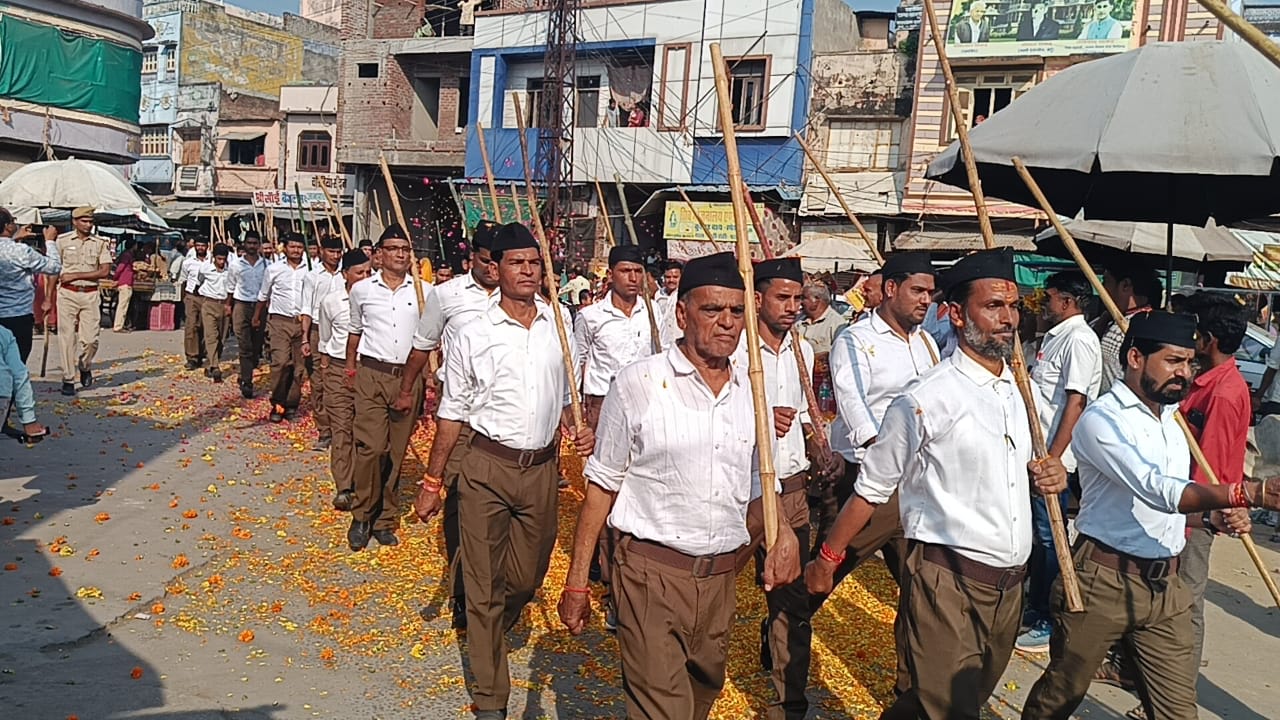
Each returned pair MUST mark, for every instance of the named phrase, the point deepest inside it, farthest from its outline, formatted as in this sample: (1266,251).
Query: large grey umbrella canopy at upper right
(1169,133)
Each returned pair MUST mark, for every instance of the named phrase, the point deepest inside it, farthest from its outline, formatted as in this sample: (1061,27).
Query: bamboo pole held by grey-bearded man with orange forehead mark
(1040,449)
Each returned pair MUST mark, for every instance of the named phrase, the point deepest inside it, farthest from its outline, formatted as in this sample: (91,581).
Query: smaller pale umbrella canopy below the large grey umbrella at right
(1109,240)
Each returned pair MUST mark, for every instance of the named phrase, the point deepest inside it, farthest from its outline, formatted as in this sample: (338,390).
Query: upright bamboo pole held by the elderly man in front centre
(756,370)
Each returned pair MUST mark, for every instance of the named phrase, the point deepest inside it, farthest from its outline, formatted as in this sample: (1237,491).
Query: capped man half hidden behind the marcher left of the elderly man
(449,309)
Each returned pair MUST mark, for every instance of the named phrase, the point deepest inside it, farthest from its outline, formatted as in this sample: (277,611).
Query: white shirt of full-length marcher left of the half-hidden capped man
(385,318)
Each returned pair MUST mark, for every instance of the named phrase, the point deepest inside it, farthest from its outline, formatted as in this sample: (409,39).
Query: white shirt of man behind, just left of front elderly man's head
(609,340)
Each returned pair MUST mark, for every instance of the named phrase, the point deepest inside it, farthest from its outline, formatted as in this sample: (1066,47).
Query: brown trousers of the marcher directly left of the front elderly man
(508,518)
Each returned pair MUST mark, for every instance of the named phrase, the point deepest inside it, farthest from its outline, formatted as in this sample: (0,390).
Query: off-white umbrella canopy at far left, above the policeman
(70,184)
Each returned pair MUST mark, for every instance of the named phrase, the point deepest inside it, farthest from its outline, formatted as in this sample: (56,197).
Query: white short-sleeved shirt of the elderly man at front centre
(678,455)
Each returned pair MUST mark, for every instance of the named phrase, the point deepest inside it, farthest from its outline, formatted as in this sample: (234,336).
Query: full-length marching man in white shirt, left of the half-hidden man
(385,312)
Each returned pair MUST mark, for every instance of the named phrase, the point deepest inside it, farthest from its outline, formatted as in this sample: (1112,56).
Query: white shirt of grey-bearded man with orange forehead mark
(956,445)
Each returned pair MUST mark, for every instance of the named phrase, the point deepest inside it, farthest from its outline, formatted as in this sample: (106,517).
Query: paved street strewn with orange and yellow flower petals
(171,555)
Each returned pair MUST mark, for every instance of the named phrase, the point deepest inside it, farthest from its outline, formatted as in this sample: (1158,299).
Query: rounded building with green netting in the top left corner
(70,94)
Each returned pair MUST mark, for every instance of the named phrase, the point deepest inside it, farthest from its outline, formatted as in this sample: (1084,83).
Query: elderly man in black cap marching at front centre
(673,475)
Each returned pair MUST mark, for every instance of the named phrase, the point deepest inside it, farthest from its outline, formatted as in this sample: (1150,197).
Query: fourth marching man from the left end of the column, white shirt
(281,300)
